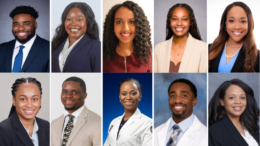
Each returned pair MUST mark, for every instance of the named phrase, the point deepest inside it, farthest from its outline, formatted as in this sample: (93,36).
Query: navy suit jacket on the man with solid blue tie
(36,61)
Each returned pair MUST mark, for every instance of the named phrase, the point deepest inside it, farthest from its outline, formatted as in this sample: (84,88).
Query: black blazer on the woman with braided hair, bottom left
(12,132)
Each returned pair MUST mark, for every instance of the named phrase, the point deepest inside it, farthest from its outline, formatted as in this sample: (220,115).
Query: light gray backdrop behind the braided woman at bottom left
(7,80)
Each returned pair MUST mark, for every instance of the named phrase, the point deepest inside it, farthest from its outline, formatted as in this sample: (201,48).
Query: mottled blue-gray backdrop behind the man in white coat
(162,81)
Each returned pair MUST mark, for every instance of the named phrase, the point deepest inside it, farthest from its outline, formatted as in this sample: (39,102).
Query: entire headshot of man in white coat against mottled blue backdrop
(180,109)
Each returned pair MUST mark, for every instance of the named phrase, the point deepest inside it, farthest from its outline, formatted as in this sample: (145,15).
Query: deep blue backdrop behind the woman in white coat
(112,108)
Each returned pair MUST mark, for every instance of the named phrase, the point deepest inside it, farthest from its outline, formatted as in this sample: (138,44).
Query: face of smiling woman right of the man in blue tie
(75,23)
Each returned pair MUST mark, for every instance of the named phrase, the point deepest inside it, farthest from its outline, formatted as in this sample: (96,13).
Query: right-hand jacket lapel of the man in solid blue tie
(36,47)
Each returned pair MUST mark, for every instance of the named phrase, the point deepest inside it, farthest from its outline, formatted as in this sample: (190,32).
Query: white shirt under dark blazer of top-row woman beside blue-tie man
(66,51)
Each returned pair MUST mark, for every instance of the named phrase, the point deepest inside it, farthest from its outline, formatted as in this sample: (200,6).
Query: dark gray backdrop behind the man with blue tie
(43,8)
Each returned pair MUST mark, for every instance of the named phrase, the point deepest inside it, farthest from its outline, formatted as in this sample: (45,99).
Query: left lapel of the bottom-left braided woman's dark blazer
(22,135)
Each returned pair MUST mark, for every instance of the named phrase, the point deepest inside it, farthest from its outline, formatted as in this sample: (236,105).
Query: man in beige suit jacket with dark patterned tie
(78,125)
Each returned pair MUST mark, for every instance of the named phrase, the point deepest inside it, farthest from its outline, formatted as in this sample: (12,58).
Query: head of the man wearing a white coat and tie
(181,101)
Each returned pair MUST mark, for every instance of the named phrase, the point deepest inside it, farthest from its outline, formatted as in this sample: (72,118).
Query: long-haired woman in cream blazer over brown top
(183,50)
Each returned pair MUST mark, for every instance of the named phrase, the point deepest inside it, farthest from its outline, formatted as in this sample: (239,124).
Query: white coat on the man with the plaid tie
(196,135)
